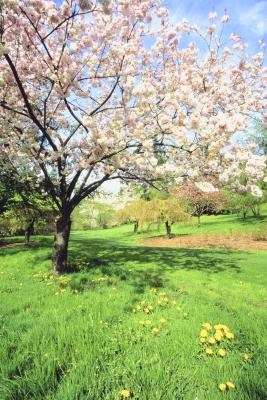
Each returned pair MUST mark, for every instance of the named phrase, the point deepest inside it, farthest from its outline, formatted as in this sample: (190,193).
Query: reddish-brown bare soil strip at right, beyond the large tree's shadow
(237,241)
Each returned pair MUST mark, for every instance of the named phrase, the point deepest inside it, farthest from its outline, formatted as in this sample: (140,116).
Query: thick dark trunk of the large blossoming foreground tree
(61,242)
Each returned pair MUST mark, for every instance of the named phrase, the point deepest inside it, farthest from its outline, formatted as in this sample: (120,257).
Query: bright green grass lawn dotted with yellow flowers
(78,337)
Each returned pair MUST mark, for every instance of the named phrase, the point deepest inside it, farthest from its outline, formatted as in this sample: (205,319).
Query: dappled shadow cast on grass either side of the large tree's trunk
(139,266)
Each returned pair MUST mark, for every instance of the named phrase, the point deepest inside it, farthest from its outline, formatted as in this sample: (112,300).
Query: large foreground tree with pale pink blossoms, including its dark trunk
(91,91)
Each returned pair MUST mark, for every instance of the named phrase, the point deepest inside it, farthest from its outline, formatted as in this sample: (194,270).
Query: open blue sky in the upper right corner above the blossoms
(248,18)
